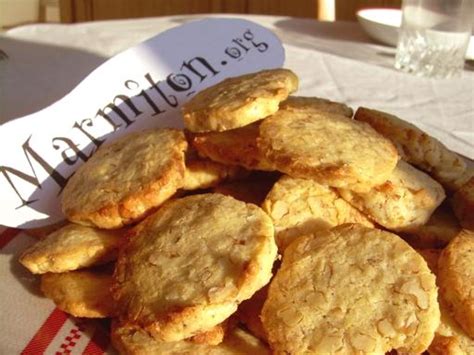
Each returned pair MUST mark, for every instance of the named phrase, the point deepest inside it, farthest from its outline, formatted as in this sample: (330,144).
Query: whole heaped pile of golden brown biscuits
(271,224)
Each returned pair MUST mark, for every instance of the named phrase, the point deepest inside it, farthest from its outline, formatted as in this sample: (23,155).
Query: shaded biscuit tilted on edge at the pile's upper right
(418,148)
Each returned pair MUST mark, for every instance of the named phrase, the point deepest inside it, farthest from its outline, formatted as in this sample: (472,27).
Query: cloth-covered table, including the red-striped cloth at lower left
(334,60)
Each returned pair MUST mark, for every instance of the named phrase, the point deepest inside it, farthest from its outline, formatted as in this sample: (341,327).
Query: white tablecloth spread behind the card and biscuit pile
(333,60)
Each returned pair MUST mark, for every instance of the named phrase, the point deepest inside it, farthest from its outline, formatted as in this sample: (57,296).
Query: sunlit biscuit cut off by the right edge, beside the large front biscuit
(456,279)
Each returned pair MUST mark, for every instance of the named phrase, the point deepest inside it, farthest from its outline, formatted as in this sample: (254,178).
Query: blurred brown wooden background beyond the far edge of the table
(19,12)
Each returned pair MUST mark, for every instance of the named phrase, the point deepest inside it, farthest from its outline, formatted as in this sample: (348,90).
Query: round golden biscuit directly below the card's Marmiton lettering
(122,181)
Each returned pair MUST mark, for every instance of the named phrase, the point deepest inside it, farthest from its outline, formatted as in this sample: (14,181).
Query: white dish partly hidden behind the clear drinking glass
(382,25)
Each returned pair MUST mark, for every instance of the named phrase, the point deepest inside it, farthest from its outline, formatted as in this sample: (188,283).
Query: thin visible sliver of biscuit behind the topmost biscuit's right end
(316,103)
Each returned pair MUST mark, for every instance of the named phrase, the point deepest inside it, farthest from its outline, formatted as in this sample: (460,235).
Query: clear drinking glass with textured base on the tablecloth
(434,37)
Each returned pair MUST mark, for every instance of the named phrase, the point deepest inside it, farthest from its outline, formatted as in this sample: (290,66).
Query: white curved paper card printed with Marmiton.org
(141,87)
